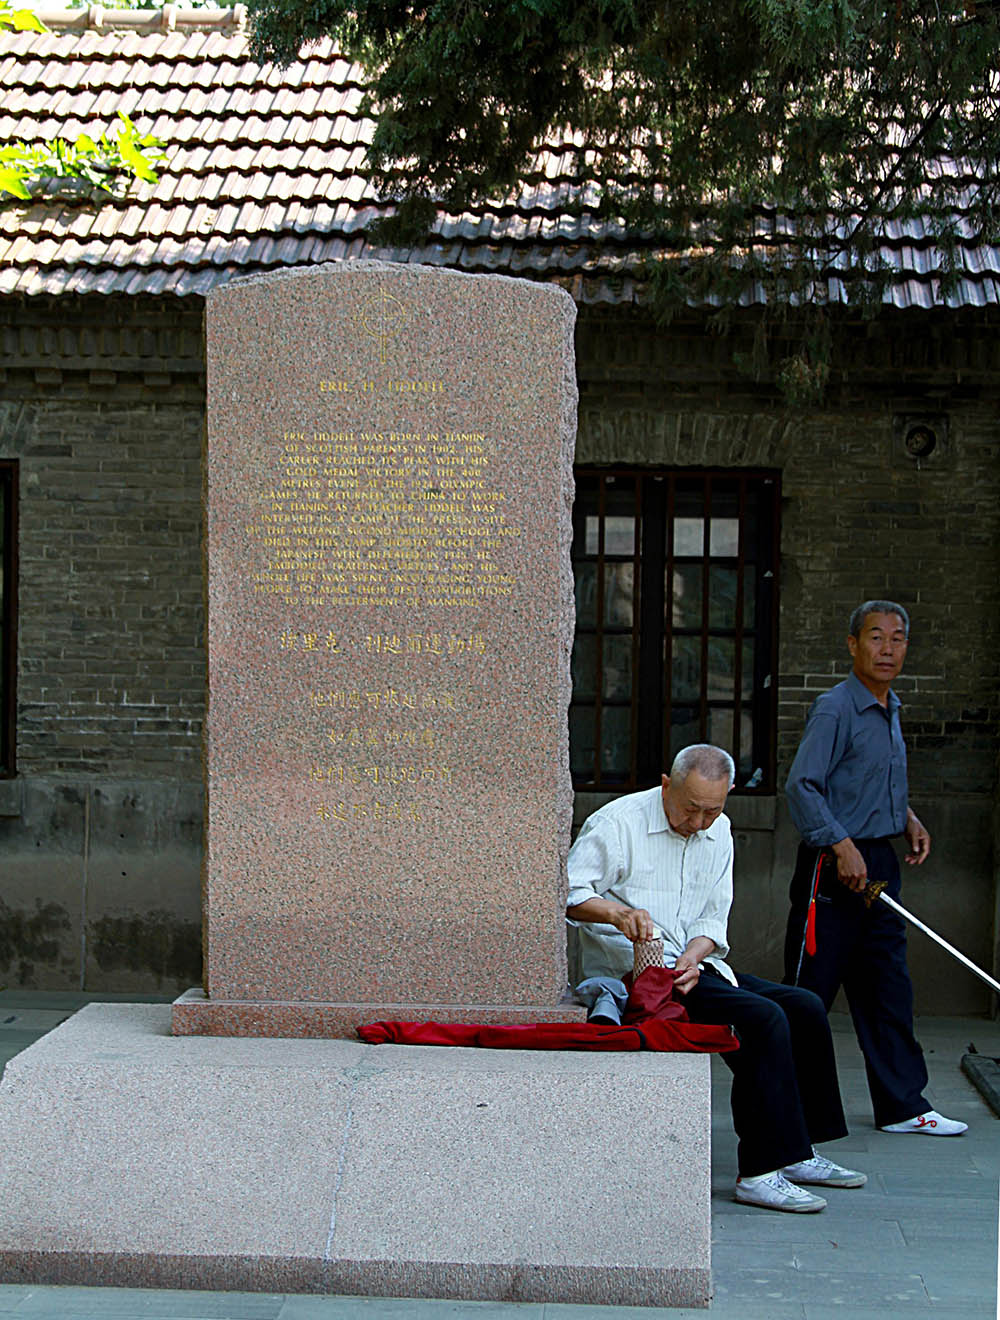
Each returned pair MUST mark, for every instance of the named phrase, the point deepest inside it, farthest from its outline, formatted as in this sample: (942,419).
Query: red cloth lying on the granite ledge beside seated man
(654,1021)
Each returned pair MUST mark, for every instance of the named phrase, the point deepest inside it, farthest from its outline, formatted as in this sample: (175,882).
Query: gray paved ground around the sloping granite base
(922,1240)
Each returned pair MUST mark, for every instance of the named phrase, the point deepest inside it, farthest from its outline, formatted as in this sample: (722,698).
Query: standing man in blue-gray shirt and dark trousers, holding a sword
(849,801)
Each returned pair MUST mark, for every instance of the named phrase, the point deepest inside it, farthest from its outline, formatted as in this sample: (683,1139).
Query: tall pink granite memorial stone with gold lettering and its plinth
(390,477)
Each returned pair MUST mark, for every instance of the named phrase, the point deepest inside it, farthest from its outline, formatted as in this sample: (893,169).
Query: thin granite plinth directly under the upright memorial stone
(197,1016)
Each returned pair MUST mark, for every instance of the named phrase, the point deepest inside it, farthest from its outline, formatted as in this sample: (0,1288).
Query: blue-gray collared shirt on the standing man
(849,778)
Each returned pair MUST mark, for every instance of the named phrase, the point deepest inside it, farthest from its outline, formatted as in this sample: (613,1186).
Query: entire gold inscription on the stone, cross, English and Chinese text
(406,523)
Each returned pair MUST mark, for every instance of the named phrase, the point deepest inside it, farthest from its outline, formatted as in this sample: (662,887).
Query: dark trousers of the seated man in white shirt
(786,1096)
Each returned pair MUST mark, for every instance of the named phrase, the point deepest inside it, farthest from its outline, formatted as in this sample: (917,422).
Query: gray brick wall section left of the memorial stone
(102,406)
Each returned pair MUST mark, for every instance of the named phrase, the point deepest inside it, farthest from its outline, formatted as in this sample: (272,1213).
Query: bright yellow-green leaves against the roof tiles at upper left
(106,164)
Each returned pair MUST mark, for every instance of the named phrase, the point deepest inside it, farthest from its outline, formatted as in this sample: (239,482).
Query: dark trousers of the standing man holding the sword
(865,951)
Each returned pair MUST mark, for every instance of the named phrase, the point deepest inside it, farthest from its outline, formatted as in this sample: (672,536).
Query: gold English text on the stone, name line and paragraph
(387,518)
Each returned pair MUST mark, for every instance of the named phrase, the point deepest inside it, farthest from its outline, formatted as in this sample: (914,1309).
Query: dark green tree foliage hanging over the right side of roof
(700,127)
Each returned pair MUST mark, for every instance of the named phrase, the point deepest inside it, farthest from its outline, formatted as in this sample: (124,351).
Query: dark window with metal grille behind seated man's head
(676,642)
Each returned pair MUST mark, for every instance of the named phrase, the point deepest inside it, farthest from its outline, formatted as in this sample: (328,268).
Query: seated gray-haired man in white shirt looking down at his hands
(659,865)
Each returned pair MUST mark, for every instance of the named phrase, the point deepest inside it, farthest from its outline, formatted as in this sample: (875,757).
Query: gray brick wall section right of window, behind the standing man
(863,521)
